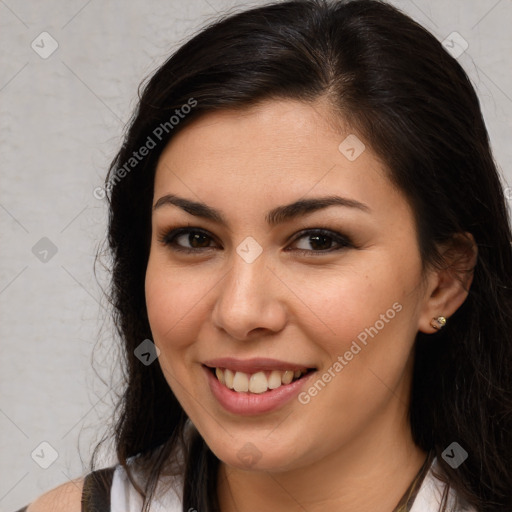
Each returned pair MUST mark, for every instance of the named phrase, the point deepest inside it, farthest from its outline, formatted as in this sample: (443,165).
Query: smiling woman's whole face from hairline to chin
(264,296)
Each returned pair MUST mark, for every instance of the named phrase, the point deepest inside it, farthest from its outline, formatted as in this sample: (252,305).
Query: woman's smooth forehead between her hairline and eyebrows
(275,152)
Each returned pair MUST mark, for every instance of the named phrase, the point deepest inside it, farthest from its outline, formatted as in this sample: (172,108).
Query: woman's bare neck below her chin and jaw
(371,473)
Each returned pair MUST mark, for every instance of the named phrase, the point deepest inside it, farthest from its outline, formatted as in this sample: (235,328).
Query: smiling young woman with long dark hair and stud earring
(311,276)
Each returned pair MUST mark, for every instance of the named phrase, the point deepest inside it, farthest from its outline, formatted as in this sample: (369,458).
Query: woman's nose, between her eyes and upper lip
(249,303)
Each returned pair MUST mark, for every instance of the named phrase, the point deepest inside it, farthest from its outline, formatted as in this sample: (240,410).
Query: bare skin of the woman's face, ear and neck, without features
(350,447)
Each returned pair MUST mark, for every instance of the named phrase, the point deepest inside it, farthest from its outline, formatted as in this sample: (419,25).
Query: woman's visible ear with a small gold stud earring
(447,287)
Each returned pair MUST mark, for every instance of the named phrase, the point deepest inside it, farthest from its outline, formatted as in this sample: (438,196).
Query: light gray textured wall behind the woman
(61,123)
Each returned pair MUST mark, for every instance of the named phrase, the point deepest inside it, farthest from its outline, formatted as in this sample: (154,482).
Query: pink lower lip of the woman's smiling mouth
(249,404)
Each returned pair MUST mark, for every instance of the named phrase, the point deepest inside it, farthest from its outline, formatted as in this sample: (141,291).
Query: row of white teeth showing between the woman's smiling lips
(259,382)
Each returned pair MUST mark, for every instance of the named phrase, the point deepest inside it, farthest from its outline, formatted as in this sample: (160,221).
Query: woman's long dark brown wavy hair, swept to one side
(395,84)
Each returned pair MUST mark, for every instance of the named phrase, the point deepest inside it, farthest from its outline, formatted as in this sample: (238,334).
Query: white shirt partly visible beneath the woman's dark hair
(124,497)
